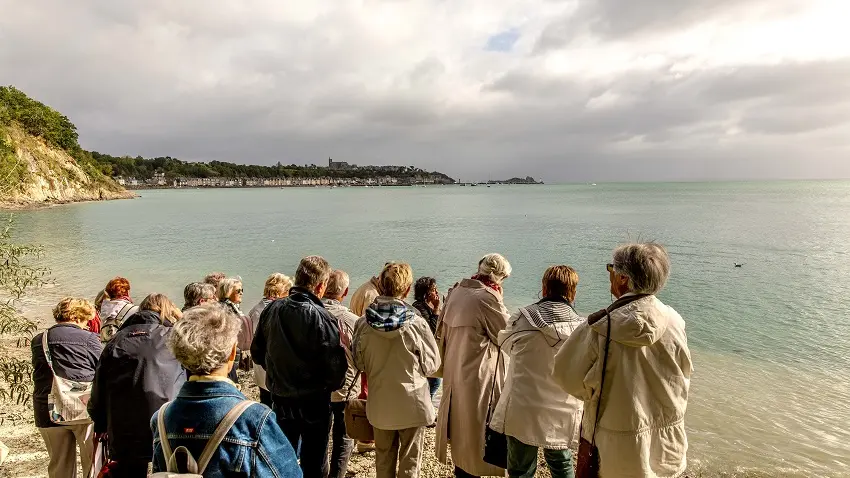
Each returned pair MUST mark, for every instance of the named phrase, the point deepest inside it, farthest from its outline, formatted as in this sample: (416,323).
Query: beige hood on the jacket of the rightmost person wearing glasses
(639,323)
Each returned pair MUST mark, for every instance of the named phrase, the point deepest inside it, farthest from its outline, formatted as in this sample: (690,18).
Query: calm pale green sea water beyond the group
(770,340)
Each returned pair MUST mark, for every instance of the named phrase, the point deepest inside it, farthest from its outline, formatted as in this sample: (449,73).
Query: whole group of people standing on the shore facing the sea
(544,377)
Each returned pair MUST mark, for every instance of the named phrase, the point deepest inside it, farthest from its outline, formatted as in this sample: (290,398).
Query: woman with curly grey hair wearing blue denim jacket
(204,342)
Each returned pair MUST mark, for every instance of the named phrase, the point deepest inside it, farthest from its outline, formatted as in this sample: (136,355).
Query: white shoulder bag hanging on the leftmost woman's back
(68,399)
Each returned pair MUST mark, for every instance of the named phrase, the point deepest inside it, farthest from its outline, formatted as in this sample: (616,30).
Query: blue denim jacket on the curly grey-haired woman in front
(254,447)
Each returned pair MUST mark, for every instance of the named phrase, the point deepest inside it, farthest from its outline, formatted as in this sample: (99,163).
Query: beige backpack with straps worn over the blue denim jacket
(181,463)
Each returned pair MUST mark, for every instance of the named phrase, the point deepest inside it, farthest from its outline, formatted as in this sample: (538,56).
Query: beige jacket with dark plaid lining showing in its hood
(397,360)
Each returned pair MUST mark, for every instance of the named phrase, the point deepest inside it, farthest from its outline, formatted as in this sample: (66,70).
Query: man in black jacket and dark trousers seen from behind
(298,344)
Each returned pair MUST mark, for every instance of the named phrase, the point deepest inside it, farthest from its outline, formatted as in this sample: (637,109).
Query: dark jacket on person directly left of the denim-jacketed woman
(136,375)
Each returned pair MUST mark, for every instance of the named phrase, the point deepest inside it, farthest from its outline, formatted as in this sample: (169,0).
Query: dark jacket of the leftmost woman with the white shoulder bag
(75,354)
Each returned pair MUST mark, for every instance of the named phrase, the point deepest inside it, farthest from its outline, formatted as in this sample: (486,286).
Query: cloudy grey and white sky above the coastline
(578,90)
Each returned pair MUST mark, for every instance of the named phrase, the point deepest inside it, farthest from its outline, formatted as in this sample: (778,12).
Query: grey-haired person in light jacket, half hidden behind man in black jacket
(341,445)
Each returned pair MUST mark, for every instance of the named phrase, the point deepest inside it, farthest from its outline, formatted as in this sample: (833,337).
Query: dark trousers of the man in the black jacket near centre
(308,420)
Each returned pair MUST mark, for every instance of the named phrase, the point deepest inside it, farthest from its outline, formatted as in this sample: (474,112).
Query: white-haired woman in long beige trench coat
(472,318)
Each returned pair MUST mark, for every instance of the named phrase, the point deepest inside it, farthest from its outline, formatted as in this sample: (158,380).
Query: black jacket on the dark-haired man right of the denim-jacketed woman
(297,342)
